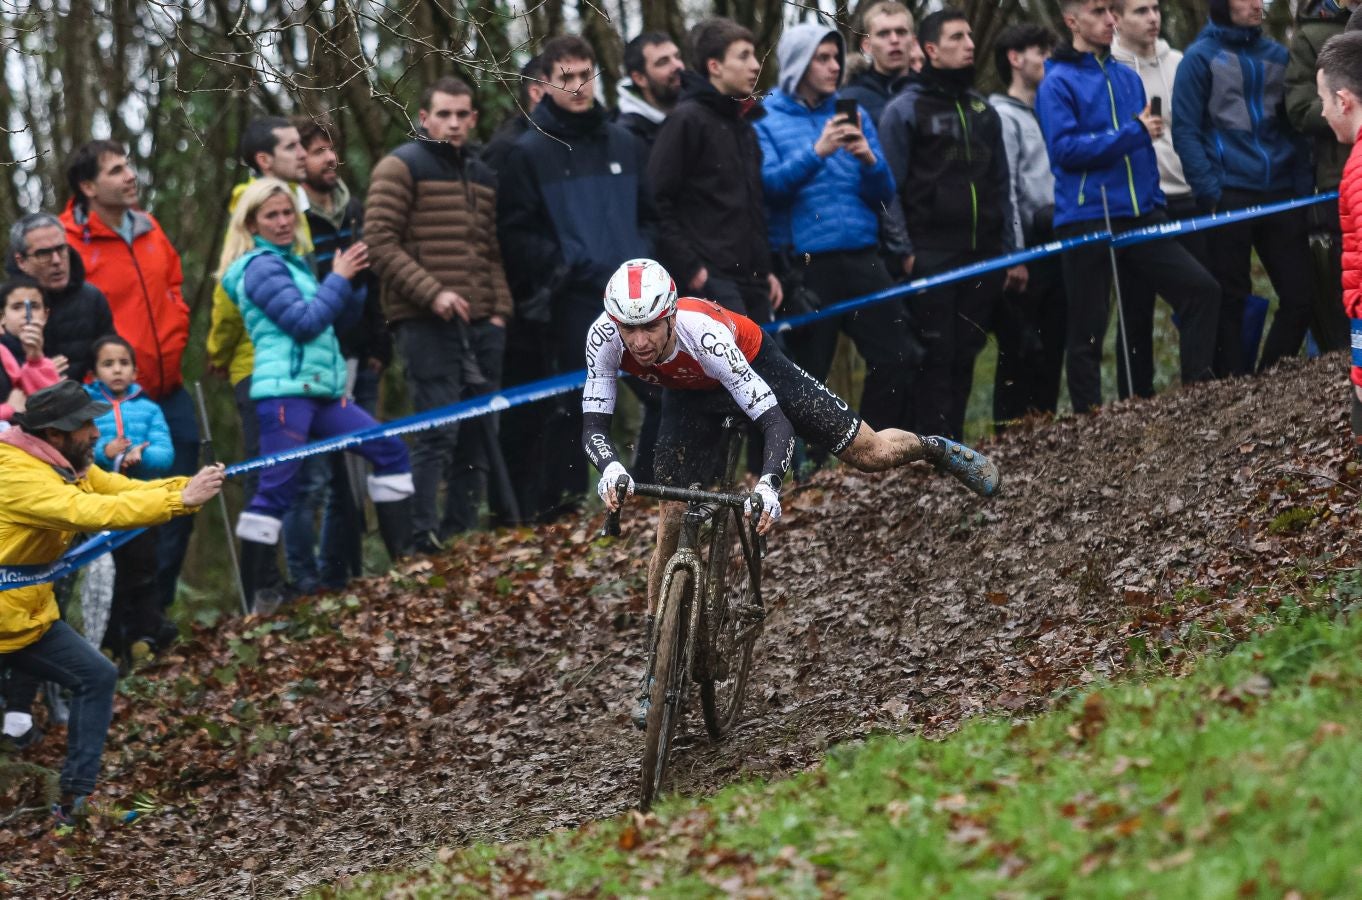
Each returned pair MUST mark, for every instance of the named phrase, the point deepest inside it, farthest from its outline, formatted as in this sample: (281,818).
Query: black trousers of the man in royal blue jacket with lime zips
(1162,268)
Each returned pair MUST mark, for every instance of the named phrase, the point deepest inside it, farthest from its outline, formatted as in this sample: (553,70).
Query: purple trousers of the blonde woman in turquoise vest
(292,421)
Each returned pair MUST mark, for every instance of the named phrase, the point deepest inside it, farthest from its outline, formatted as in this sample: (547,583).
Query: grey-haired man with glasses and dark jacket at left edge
(77,311)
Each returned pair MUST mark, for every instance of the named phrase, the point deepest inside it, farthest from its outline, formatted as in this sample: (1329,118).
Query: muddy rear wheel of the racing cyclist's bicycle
(733,622)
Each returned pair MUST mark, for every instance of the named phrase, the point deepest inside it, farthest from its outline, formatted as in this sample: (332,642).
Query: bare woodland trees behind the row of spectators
(178,81)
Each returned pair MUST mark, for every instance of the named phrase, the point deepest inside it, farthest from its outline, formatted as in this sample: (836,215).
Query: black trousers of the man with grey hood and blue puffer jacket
(881,333)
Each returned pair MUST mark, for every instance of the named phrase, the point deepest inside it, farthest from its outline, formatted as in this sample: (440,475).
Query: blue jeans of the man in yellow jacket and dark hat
(63,657)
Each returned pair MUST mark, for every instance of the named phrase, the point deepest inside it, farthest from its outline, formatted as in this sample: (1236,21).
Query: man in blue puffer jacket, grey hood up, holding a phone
(826,182)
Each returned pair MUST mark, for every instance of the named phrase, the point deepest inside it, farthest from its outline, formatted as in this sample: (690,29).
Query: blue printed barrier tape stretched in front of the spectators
(104,543)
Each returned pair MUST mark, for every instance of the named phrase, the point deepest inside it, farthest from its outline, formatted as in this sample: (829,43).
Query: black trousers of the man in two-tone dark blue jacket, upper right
(1282,244)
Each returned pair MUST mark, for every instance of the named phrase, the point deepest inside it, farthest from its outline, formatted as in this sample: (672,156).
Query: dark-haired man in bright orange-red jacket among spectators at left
(131,261)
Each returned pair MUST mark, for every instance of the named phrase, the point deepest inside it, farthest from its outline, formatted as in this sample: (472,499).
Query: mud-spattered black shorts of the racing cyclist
(693,421)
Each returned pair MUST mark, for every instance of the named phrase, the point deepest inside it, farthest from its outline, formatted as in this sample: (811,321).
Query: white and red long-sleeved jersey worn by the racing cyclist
(714,349)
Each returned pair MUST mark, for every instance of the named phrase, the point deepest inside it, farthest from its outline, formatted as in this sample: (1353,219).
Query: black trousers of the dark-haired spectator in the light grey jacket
(1030,332)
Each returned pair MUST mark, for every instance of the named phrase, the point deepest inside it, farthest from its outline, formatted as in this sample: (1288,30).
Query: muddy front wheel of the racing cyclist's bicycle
(667,696)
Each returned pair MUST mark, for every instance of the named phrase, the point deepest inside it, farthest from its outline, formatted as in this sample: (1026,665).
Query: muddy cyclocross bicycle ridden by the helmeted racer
(710,612)
